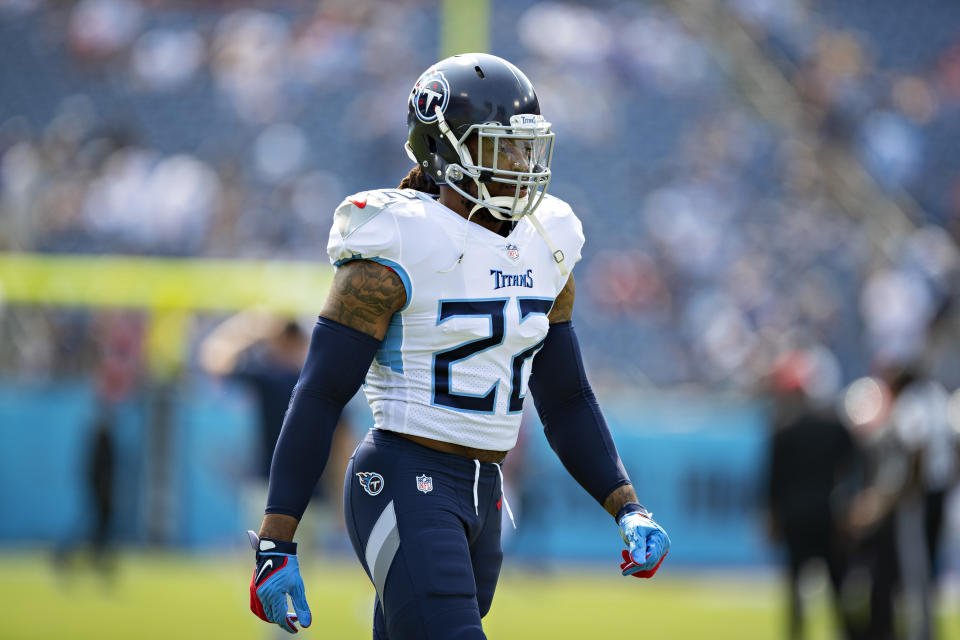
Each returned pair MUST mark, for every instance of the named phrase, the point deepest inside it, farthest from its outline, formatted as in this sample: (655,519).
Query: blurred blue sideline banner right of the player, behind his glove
(696,462)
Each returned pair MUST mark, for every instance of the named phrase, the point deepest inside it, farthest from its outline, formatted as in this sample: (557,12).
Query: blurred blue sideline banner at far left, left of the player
(48,468)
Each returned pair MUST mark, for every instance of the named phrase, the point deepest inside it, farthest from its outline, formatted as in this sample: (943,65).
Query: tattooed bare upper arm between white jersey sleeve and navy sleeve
(364,296)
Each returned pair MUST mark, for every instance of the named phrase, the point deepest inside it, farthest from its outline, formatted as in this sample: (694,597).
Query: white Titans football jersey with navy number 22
(456,359)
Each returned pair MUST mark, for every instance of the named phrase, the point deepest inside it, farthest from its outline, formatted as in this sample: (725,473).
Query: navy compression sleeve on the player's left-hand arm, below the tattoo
(335,367)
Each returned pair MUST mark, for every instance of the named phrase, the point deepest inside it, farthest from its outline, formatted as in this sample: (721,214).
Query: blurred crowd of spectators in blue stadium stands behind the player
(713,244)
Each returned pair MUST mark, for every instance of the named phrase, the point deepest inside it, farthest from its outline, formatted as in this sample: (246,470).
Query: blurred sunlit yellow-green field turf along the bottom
(175,596)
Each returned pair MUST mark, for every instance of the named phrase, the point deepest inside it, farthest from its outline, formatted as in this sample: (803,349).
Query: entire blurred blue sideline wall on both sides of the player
(697,464)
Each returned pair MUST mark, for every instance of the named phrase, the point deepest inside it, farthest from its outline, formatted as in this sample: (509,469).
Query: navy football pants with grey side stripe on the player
(433,557)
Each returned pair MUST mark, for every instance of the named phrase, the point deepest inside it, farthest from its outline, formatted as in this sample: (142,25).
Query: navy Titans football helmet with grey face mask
(477,93)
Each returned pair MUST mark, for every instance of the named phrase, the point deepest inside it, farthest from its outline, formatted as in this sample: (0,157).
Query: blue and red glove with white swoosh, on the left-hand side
(276,576)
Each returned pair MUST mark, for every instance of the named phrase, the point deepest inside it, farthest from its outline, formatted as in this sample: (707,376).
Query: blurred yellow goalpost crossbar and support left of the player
(169,289)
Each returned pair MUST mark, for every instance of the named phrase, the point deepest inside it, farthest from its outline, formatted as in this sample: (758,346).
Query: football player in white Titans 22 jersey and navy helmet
(452,297)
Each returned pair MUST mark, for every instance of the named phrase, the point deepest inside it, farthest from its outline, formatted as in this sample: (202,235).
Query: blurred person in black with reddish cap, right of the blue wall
(811,456)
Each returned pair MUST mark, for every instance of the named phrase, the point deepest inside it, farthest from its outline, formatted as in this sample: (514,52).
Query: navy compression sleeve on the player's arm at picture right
(571,417)
